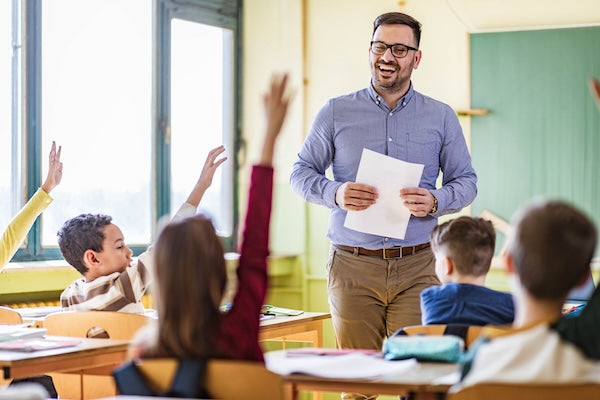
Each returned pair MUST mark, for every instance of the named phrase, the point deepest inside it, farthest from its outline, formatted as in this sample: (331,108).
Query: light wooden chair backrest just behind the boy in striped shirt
(116,325)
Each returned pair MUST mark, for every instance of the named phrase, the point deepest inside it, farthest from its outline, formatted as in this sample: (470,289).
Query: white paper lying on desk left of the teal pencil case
(345,367)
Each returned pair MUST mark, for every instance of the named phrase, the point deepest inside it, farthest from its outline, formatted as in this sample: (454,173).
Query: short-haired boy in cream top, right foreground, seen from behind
(548,252)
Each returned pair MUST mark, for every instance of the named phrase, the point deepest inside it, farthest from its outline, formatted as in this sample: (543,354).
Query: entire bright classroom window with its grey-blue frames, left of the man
(134,134)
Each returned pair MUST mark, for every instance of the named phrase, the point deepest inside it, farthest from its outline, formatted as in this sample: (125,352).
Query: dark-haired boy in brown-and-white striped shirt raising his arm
(95,247)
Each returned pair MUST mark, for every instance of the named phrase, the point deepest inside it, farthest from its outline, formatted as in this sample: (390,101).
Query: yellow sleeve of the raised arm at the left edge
(17,229)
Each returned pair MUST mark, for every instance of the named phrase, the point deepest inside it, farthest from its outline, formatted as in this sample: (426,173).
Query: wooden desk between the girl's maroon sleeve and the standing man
(306,327)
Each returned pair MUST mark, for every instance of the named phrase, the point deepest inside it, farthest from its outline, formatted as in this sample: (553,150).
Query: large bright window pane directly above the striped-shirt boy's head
(96,102)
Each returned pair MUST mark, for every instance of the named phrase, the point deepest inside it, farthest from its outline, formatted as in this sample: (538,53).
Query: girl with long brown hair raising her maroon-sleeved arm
(190,271)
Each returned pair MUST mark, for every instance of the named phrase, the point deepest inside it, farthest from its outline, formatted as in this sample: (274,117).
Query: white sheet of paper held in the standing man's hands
(388,216)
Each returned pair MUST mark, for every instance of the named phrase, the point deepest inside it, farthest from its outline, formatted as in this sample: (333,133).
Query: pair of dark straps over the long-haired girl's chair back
(187,383)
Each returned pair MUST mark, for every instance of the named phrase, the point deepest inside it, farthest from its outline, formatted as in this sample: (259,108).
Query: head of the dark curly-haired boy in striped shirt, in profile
(94,245)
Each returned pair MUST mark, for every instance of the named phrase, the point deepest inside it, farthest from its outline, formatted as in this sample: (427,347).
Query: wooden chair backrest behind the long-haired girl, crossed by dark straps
(225,379)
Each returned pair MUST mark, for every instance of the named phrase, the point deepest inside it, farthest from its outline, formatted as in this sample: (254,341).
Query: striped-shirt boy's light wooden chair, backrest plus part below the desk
(96,324)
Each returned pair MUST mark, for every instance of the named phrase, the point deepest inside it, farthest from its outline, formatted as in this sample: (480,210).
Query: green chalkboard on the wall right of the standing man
(542,135)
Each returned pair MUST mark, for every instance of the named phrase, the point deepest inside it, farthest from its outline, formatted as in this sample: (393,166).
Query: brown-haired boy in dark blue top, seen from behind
(463,249)
